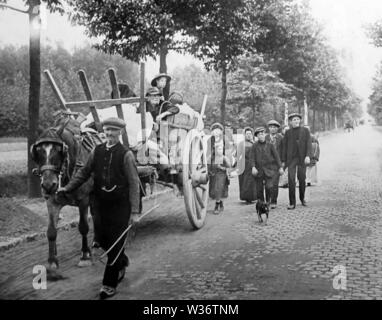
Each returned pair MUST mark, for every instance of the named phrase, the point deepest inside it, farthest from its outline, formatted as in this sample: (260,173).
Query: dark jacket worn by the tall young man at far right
(304,146)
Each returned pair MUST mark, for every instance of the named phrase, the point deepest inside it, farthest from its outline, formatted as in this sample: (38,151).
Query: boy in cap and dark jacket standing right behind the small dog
(266,165)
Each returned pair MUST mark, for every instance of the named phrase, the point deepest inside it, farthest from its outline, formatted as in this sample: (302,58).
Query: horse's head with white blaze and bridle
(50,152)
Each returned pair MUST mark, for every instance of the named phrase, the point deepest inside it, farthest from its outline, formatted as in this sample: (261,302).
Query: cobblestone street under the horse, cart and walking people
(232,256)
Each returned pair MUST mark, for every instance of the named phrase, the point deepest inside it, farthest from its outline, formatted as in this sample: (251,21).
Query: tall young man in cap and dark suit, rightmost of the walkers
(296,154)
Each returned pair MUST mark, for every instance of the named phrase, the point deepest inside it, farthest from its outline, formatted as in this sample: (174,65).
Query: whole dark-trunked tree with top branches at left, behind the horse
(33,11)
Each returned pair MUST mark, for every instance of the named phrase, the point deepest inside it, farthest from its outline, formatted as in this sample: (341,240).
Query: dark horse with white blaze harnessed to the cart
(59,152)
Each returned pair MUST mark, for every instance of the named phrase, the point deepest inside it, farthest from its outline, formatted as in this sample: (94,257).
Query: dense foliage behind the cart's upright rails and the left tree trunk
(14,82)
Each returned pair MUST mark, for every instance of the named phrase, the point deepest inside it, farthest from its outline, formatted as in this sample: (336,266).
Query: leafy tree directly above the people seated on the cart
(138,29)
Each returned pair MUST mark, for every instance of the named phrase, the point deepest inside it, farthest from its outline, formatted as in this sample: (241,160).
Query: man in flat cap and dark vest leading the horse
(116,197)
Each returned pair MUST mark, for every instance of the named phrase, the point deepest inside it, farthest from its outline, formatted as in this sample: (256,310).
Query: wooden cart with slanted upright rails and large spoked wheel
(193,168)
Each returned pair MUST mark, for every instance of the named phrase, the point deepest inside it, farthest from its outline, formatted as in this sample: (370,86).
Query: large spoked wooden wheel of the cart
(195,178)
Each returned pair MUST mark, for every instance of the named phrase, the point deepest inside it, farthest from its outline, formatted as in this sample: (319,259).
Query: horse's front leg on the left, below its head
(53,214)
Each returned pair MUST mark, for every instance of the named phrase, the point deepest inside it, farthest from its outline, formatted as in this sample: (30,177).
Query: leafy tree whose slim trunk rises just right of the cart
(227,31)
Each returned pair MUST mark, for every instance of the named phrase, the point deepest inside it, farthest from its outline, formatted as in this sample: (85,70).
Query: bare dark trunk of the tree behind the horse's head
(34,95)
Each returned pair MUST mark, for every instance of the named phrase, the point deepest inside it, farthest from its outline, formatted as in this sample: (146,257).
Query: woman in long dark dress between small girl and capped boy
(247,184)
